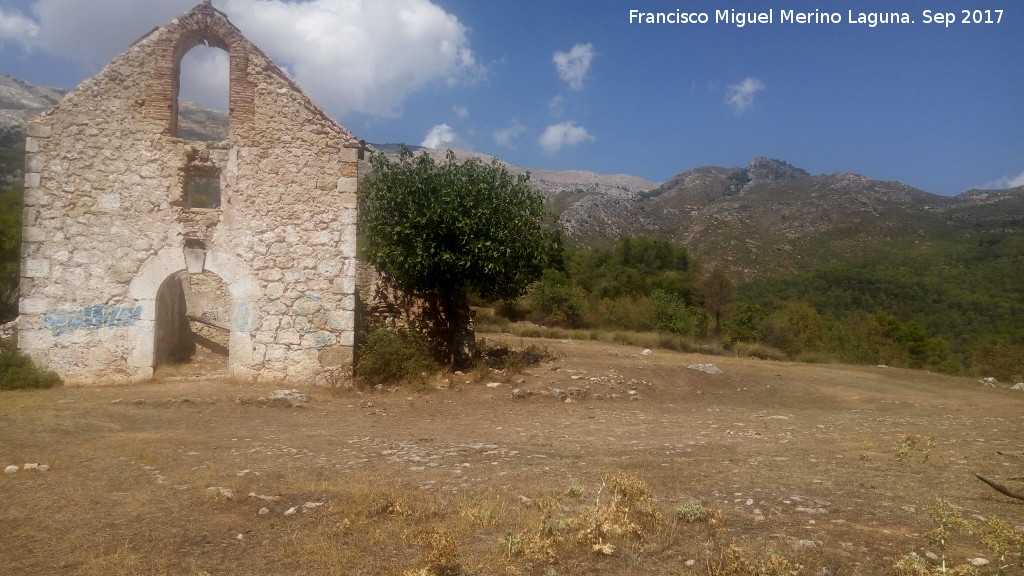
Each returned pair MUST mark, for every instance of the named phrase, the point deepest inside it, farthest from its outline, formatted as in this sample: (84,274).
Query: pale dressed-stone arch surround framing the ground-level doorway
(243,289)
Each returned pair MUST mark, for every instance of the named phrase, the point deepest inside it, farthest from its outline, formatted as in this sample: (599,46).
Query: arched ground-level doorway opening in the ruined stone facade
(192,336)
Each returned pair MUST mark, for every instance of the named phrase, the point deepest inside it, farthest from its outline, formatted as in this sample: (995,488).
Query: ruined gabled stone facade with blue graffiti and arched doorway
(122,216)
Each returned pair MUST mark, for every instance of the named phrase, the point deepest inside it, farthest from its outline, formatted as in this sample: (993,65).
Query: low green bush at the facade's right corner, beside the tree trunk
(392,356)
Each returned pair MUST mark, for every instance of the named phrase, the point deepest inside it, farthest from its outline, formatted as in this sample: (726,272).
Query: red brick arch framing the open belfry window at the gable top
(203,25)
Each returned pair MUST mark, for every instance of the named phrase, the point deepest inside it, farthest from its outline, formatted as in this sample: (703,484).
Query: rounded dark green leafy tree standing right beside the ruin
(447,230)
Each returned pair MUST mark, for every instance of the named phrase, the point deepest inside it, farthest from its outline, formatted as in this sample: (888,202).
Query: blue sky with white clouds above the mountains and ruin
(575,86)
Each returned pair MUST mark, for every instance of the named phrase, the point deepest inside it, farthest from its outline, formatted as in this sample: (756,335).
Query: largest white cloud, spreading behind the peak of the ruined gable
(351,56)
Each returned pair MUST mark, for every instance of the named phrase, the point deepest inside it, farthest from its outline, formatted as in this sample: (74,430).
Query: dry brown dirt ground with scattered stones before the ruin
(835,466)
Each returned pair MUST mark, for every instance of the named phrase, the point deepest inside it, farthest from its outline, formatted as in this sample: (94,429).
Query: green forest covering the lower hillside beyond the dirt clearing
(957,309)
